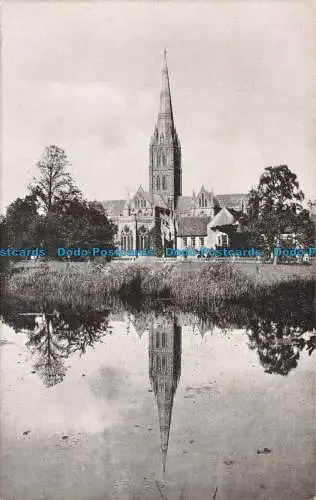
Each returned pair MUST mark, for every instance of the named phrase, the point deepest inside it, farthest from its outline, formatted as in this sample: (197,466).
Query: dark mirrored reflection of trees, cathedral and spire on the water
(278,335)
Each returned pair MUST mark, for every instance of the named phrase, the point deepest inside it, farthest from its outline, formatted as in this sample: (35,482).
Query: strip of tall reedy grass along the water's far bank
(192,285)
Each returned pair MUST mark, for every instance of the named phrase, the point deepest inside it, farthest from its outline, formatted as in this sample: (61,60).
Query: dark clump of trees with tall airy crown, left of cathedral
(55,212)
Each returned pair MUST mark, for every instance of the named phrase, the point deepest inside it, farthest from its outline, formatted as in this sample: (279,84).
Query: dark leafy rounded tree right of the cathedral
(275,207)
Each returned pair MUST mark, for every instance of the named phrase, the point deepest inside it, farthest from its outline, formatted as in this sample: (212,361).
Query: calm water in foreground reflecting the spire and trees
(150,405)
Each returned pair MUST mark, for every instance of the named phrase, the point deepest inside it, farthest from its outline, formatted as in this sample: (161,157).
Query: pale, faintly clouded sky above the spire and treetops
(86,76)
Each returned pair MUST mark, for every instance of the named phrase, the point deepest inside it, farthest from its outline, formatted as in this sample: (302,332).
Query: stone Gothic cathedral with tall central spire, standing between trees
(162,217)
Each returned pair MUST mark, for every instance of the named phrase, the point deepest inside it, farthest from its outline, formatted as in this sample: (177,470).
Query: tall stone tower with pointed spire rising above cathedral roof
(165,177)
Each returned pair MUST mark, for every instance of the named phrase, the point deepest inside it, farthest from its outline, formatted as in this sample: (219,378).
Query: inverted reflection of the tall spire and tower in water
(164,350)
